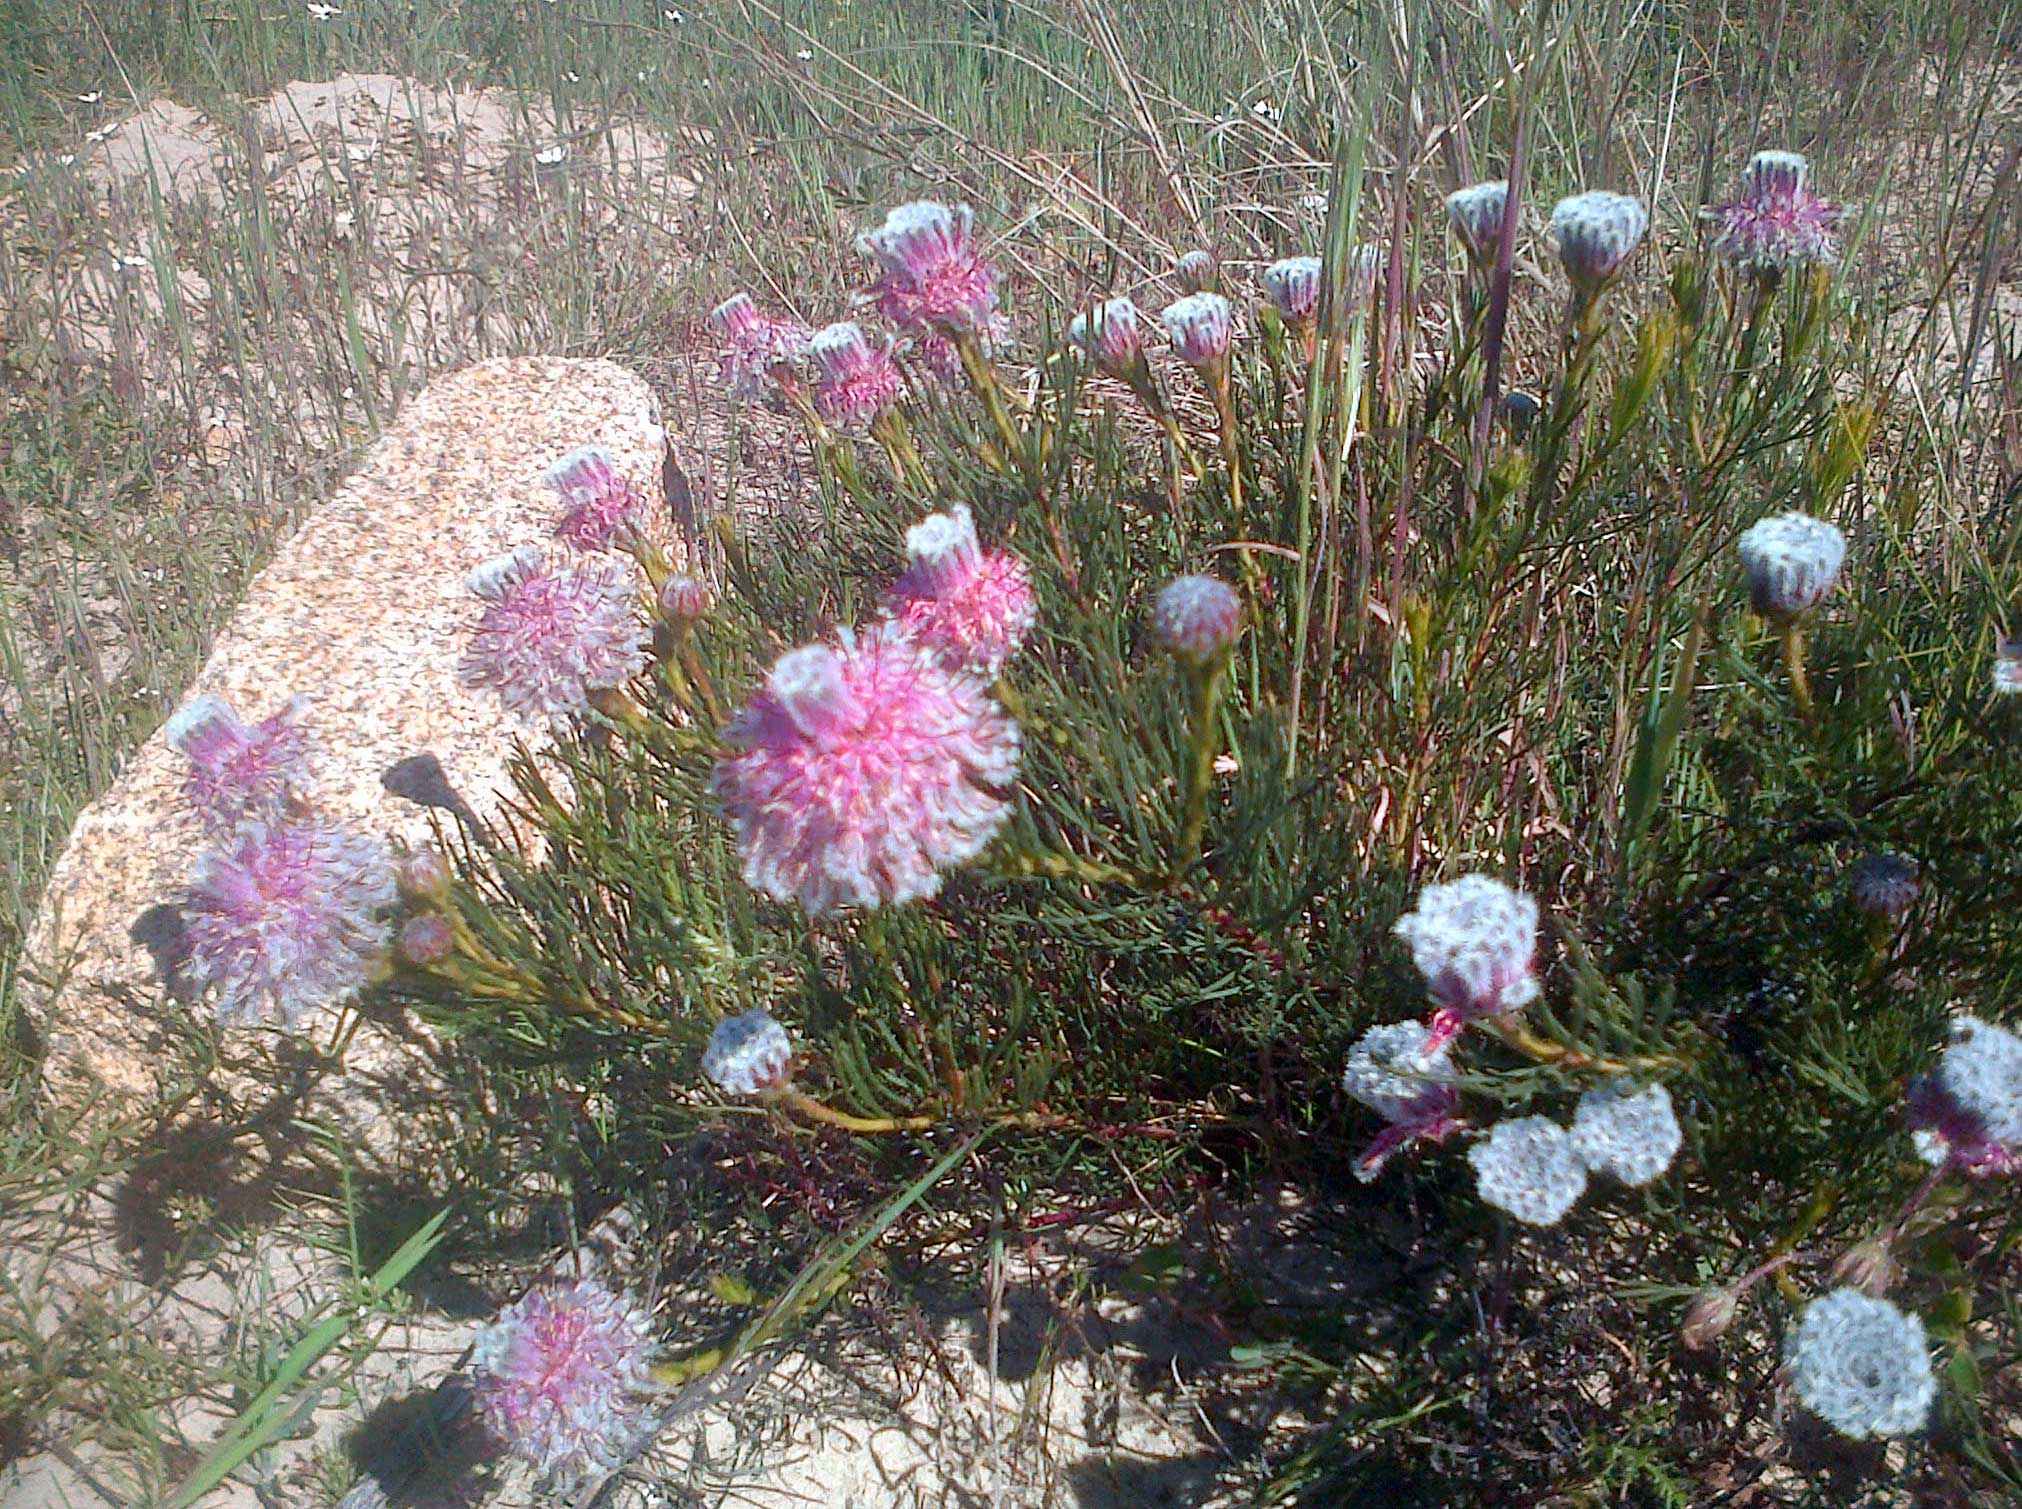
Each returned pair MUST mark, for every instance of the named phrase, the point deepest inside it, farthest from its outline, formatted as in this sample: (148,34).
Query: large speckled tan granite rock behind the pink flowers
(365,614)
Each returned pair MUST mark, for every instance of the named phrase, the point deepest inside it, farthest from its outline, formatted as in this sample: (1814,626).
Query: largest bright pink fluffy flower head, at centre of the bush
(866,772)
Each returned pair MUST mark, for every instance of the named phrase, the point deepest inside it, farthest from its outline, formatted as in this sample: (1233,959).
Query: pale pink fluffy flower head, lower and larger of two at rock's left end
(284,919)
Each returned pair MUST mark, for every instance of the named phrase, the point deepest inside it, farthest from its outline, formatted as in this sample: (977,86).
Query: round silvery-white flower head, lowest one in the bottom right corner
(1863,1366)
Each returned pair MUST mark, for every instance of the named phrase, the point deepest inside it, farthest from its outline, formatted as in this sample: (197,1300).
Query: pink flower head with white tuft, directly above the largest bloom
(970,606)
